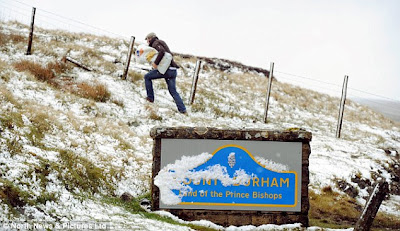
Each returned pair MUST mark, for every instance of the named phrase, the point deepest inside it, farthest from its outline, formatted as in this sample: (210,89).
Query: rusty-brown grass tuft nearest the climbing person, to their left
(98,92)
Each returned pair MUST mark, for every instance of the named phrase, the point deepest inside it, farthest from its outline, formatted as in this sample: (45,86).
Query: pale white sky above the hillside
(313,43)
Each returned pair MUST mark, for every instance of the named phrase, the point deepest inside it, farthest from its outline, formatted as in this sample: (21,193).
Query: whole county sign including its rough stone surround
(232,176)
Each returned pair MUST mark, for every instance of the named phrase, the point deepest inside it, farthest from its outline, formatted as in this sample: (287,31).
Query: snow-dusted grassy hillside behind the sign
(68,156)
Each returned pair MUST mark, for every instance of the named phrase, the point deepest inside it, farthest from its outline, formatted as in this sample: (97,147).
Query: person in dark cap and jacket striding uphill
(169,75)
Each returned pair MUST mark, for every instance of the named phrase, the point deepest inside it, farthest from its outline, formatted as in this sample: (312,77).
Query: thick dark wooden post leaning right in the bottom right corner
(372,206)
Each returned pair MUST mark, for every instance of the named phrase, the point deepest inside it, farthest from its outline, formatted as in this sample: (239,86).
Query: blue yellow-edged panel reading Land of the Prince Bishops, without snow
(251,183)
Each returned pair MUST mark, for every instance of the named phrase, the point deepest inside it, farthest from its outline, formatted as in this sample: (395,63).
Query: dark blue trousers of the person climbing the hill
(170,79)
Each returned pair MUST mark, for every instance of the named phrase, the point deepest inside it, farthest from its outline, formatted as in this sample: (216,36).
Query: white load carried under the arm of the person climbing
(145,54)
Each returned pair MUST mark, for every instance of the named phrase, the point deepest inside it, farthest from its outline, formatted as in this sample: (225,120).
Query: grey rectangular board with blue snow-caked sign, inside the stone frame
(230,175)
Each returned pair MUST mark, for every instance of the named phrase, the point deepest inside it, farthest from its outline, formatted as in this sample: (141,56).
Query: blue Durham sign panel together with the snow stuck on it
(230,177)
